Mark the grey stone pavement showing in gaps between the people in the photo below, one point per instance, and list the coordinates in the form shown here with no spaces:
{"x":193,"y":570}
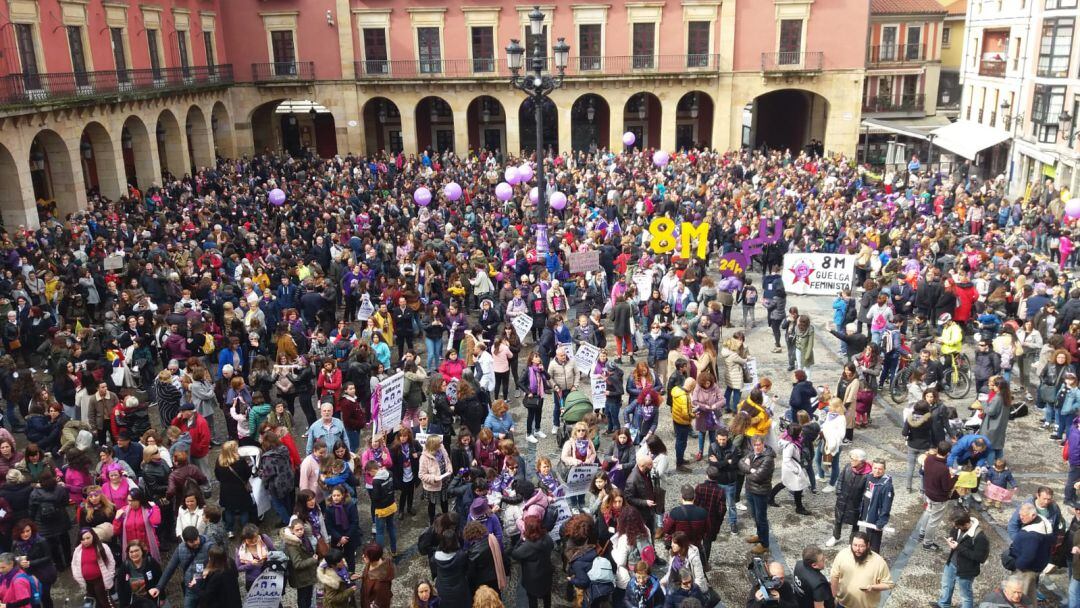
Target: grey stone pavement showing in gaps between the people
{"x":915,"y":570}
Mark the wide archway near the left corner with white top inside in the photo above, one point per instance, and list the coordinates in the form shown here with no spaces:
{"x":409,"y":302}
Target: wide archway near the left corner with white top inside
{"x":296,"y":127}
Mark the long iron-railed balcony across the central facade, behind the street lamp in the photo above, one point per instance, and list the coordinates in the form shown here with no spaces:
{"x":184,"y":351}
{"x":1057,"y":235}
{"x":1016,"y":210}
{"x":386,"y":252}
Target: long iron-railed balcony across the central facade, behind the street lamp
{"x":588,"y":66}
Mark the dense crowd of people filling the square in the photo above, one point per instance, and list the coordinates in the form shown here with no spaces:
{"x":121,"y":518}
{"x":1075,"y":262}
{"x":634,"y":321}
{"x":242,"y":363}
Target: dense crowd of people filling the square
{"x":178,"y":357}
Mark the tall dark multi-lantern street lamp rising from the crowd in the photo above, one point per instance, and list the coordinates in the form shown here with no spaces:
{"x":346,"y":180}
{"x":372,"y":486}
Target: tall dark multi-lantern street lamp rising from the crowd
{"x":538,"y":87}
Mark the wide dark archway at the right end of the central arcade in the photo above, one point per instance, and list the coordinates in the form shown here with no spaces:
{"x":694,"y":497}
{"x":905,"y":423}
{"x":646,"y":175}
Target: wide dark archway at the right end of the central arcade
{"x":789,"y":119}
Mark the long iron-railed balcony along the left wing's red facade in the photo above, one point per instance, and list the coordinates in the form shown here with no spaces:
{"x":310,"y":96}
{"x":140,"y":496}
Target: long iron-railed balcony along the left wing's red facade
{"x":22,"y":89}
